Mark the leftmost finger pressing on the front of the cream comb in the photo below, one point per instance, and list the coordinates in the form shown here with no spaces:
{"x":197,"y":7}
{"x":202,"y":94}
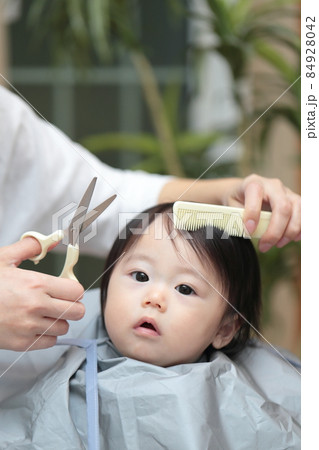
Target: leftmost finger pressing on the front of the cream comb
{"x":254,"y":194}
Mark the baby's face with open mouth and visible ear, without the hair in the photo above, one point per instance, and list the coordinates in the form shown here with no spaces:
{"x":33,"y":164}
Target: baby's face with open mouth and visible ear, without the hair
{"x":164,"y":307}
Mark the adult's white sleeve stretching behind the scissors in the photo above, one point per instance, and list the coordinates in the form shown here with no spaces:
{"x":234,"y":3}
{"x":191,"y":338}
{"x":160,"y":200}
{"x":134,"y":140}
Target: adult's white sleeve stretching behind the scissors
{"x":43,"y":175}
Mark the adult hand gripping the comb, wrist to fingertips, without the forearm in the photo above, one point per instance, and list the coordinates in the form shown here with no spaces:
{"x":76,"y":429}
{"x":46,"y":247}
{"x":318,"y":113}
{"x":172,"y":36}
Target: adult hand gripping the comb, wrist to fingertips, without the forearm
{"x":256,"y":193}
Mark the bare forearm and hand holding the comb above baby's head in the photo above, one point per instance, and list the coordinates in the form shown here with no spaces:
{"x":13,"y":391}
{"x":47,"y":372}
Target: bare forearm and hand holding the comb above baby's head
{"x":254,"y":193}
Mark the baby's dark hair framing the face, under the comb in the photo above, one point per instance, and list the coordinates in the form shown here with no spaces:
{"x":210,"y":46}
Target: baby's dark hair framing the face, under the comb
{"x":234,"y":259}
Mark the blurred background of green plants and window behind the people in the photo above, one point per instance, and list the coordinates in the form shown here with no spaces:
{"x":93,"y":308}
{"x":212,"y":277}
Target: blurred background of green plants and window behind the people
{"x":217,"y":80}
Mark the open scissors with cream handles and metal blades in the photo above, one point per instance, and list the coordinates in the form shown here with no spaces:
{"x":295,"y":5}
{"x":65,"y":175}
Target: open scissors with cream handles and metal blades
{"x":80,"y":221}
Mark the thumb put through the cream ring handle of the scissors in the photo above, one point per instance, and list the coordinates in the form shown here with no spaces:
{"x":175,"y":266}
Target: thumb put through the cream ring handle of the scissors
{"x":14,"y":254}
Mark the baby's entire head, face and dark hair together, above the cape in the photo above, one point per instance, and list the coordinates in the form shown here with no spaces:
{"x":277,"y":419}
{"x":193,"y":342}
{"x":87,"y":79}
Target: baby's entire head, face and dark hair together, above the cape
{"x":170,"y":296}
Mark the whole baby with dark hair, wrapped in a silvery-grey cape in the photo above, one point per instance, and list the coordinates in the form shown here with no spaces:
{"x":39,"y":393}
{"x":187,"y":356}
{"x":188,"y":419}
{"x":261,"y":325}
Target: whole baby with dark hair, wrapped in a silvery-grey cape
{"x":171,"y":300}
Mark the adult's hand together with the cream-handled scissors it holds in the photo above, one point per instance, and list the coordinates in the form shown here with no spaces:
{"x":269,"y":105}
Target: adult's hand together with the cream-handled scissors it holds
{"x":35,"y":307}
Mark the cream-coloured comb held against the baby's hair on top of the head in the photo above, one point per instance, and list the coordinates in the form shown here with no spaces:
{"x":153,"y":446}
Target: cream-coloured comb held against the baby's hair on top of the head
{"x":190,"y":216}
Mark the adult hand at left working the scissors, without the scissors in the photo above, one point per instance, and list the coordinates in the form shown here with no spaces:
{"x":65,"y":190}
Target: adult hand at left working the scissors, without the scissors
{"x":34,"y":307}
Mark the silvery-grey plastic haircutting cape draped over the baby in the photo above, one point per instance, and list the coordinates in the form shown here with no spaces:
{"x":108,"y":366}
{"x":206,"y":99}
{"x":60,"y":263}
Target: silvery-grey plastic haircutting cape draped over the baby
{"x":252,"y":402}
